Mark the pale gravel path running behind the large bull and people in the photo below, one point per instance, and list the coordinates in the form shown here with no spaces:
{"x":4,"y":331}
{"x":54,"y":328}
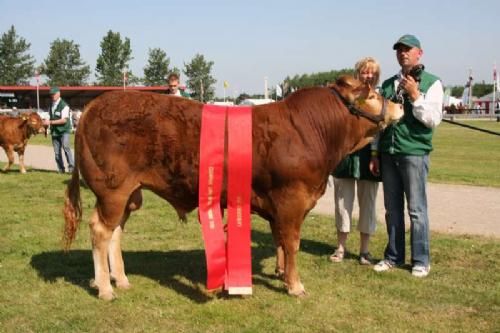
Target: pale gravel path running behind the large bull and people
{"x":456,"y":209}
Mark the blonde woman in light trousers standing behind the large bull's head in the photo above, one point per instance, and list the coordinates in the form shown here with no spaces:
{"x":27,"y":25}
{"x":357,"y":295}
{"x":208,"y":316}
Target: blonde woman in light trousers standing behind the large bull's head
{"x":355,"y":171}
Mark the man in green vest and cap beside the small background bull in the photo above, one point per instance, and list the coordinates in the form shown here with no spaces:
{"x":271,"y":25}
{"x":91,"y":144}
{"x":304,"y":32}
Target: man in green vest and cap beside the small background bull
{"x":60,"y":129}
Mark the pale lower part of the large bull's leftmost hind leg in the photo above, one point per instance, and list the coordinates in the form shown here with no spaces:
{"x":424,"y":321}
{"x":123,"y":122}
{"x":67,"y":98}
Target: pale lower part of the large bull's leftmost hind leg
{"x":101,"y":237}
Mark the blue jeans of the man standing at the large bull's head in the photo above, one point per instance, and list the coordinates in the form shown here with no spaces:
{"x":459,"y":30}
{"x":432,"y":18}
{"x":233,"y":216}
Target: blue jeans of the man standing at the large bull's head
{"x":406,"y":175}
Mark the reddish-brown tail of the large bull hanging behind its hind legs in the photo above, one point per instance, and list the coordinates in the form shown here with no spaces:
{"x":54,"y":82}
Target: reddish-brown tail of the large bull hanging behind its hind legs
{"x":72,"y":208}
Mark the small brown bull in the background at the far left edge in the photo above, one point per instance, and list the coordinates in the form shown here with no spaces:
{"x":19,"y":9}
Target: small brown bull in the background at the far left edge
{"x":15,"y":133}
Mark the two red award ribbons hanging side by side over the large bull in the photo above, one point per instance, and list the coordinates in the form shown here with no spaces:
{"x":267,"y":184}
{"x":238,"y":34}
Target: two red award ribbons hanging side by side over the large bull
{"x":234,"y":267}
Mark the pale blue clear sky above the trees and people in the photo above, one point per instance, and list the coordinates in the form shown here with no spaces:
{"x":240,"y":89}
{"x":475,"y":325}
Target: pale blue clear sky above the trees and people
{"x":250,"y":40}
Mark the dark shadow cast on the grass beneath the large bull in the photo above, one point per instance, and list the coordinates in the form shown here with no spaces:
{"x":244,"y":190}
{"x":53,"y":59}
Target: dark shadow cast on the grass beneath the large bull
{"x":169,"y":268}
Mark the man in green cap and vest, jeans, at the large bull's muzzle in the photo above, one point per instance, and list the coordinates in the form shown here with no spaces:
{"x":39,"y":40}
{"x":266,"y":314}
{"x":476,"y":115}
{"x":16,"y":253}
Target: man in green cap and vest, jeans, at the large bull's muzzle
{"x":404,"y":156}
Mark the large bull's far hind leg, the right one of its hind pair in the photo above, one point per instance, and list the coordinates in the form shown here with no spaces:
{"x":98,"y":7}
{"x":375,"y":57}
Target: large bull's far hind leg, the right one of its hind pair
{"x":116,"y":264}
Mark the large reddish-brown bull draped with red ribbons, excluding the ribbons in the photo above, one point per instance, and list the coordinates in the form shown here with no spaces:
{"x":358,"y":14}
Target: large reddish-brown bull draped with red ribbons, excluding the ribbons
{"x":127,"y":141}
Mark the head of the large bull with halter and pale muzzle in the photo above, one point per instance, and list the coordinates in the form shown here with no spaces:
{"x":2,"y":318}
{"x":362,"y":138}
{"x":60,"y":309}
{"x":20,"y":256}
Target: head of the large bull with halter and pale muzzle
{"x":363,"y":100}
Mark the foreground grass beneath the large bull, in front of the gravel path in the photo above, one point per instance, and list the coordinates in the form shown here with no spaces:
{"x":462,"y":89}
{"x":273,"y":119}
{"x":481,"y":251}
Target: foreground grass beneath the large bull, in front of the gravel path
{"x":46,"y":290}
